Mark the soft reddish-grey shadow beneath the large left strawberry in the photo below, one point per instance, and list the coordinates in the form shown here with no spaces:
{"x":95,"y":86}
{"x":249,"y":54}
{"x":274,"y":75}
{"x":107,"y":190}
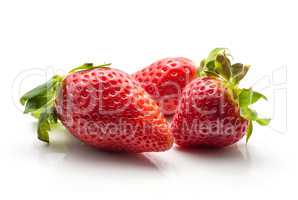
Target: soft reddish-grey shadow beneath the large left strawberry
{"x":77,"y":152}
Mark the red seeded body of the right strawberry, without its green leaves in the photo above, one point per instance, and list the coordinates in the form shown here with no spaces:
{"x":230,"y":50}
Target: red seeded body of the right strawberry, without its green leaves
{"x":207,"y":116}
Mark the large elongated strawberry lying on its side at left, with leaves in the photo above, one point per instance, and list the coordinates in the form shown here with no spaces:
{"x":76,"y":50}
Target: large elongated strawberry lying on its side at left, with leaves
{"x":102,"y":107}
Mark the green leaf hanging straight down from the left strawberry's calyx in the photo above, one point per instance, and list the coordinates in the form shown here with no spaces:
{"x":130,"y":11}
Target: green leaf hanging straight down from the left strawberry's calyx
{"x":46,"y":121}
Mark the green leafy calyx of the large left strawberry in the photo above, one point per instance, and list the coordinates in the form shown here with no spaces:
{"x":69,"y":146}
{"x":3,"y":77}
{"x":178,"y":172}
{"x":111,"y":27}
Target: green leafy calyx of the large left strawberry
{"x":40,"y":101}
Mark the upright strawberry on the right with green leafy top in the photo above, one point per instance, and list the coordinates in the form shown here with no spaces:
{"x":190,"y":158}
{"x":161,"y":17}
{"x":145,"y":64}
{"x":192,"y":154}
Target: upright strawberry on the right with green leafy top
{"x":213,"y":110}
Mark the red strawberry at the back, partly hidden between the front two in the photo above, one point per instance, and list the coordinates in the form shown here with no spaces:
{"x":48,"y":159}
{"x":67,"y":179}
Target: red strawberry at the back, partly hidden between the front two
{"x":165,"y":79}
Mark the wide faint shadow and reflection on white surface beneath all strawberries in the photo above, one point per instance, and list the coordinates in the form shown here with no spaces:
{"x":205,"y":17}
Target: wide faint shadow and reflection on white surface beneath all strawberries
{"x":69,"y":156}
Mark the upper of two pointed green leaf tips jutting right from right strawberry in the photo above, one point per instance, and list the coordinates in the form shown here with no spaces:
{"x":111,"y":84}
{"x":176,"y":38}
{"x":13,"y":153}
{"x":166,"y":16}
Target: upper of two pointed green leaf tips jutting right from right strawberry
{"x":248,"y":97}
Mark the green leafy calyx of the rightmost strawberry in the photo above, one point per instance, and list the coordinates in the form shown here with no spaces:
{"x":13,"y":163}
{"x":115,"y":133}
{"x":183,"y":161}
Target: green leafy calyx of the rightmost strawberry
{"x":218,"y":64}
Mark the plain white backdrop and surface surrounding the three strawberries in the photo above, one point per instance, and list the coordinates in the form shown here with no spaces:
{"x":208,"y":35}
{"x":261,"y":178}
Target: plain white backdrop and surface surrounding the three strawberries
{"x":60,"y":34}
